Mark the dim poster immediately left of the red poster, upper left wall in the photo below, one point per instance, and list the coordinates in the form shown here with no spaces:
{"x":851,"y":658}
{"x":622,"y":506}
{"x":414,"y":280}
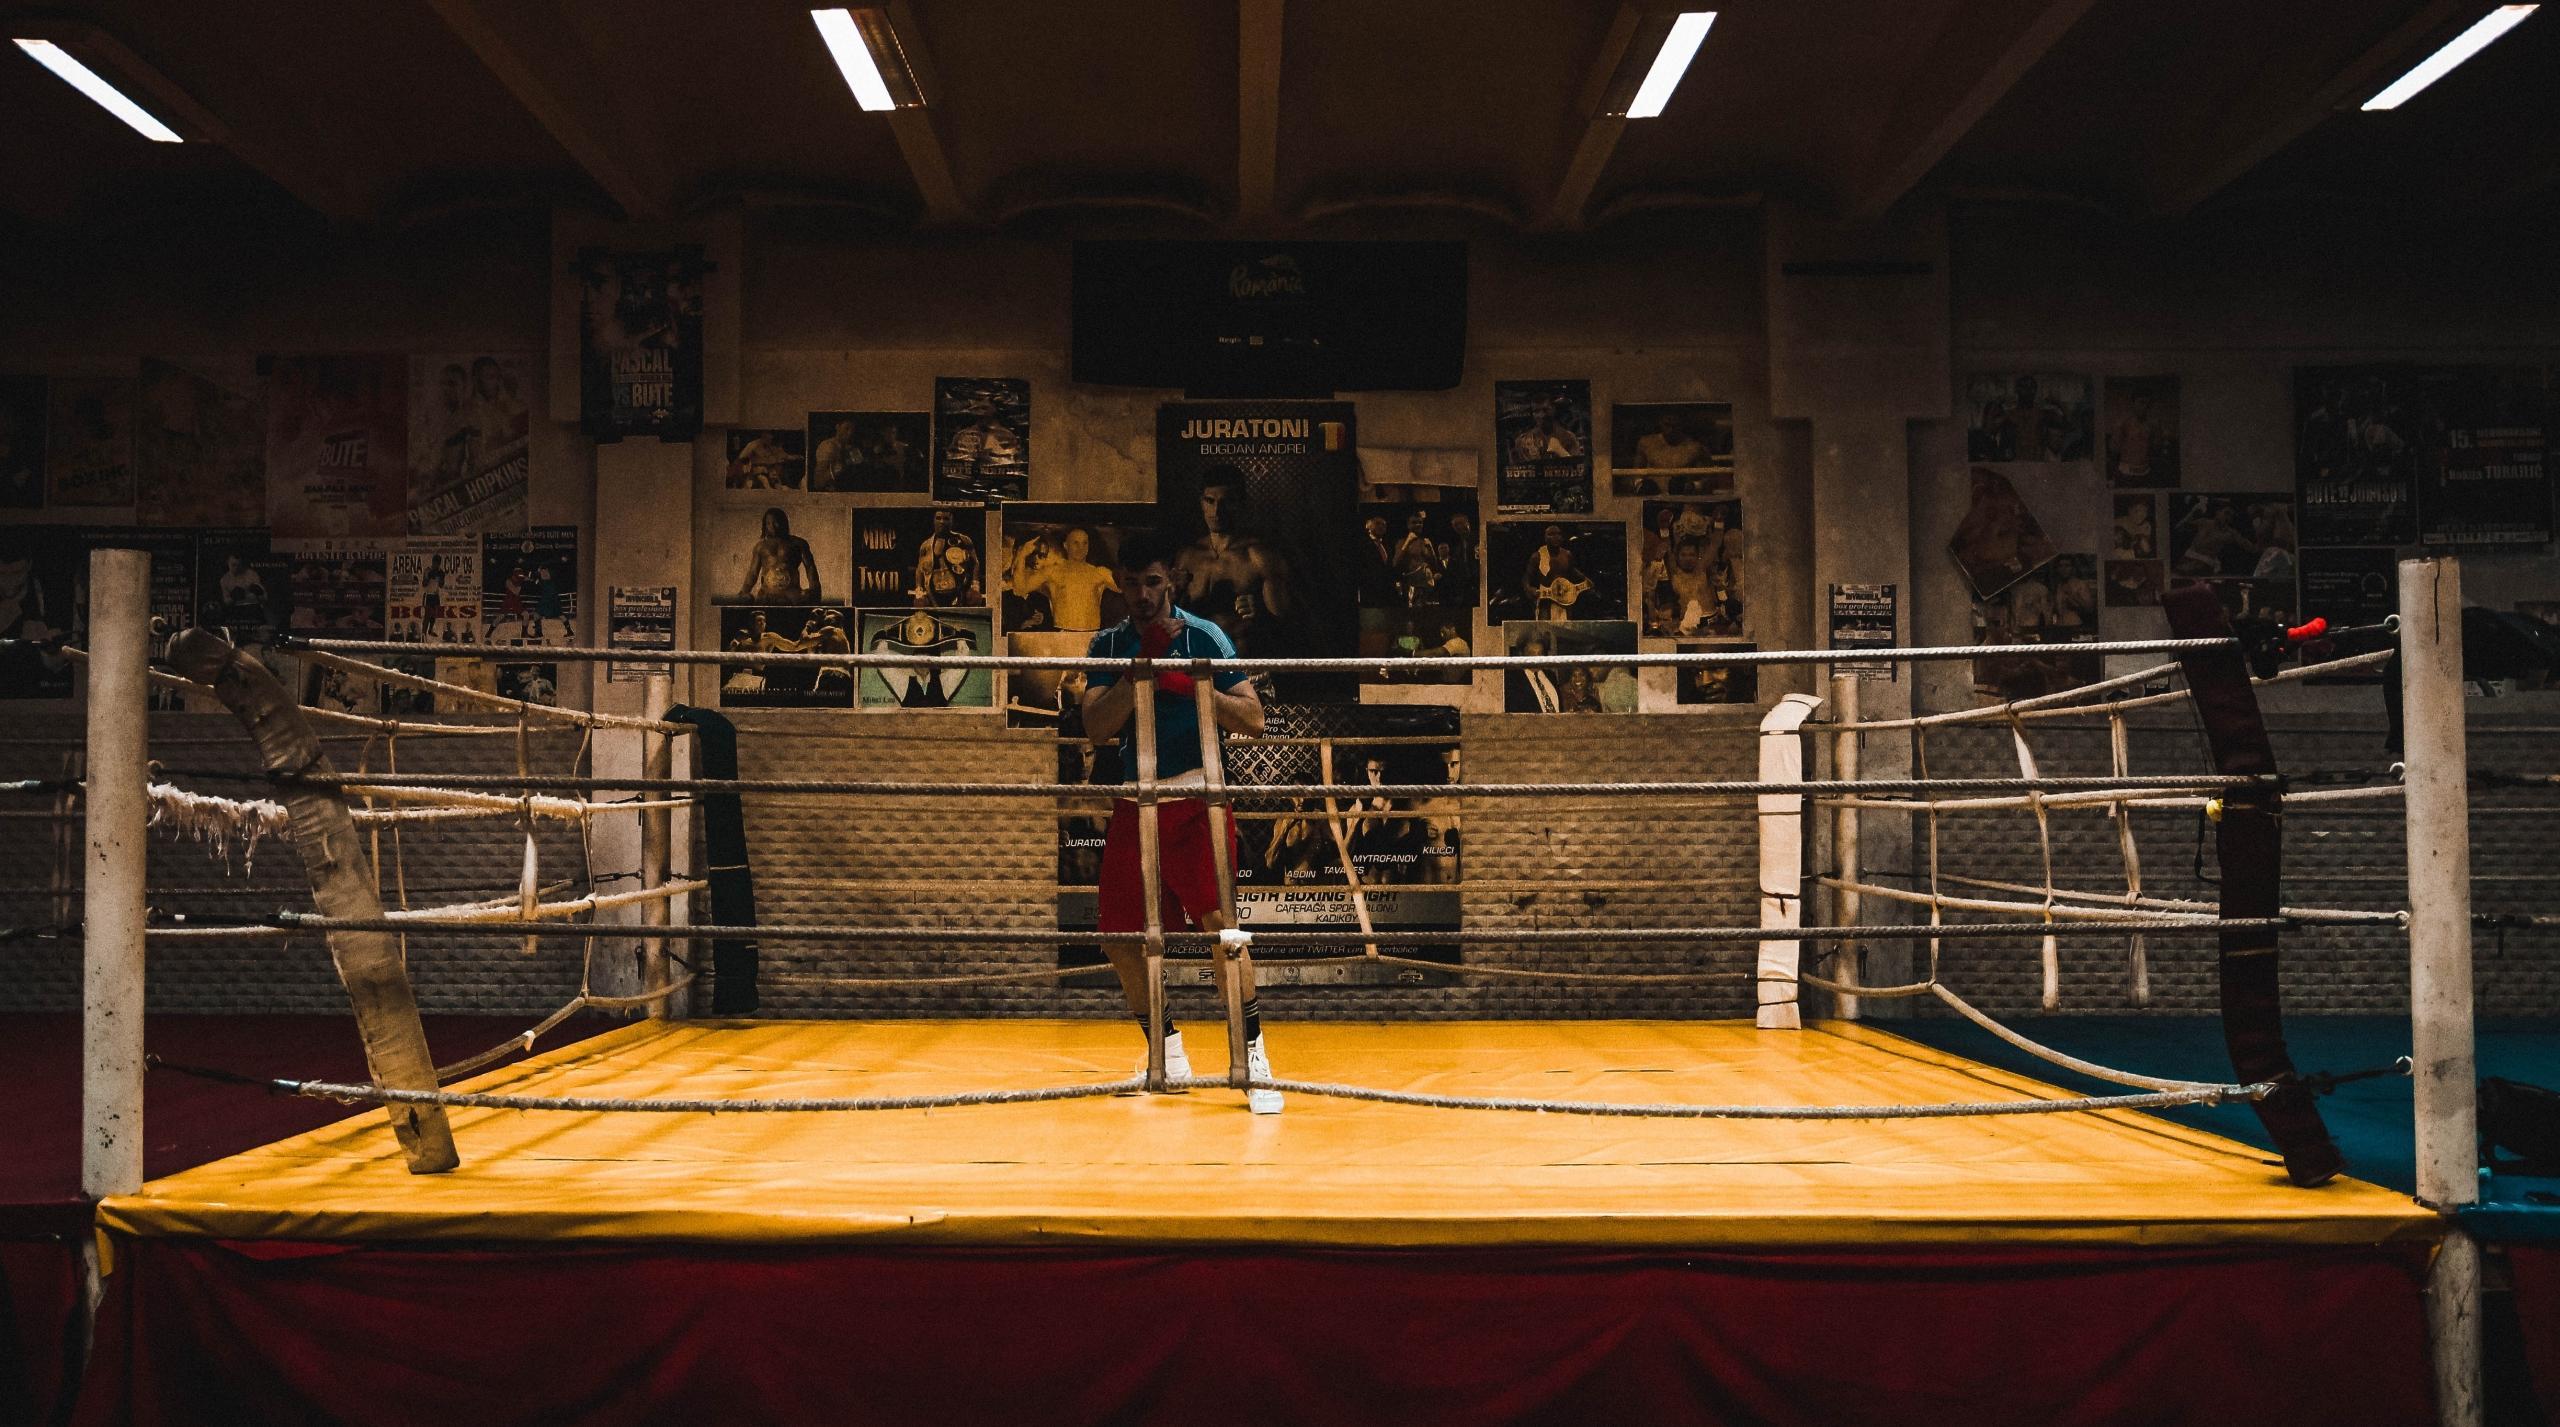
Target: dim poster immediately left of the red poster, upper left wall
{"x":198,"y":444}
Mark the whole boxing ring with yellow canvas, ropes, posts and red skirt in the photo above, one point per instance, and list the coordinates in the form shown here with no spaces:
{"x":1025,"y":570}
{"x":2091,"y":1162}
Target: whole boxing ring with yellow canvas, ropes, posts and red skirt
{"x":1763,"y":1221}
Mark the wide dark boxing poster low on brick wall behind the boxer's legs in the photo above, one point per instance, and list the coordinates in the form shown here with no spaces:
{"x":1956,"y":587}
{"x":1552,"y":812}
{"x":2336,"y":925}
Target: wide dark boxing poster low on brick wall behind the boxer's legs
{"x":1297,"y":857}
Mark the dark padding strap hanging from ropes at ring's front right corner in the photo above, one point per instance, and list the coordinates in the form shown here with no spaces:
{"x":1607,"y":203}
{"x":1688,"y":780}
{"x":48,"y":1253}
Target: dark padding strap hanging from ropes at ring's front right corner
{"x":2252,"y":857}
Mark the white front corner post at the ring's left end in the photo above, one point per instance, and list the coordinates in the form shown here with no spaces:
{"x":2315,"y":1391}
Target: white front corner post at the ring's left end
{"x":114,"y":893}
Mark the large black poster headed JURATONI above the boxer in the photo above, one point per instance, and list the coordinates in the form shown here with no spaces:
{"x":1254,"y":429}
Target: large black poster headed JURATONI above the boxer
{"x":1261,"y":501}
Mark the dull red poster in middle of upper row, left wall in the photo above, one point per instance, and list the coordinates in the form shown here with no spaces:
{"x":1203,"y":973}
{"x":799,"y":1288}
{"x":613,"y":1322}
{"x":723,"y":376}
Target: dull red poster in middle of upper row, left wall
{"x":337,"y":447}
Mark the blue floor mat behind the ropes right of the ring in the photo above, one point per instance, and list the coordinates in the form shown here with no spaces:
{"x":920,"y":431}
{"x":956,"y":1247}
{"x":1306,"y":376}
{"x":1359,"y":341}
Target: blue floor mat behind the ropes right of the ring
{"x":2372,"y":1121}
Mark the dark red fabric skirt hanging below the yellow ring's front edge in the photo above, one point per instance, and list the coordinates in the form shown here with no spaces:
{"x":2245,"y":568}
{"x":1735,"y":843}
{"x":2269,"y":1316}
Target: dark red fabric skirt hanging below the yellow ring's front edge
{"x":303,"y":1333}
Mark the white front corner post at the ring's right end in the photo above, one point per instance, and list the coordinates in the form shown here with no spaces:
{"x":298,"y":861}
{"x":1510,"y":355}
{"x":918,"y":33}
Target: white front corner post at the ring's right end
{"x":2436,"y":775}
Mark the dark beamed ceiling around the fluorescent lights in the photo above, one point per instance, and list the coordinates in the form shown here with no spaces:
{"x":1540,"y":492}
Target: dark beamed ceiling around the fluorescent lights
{"x":1207,"y":117}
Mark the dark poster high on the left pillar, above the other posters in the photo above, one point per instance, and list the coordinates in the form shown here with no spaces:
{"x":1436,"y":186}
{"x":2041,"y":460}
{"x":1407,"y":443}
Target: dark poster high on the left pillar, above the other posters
{"x":641,"y":342}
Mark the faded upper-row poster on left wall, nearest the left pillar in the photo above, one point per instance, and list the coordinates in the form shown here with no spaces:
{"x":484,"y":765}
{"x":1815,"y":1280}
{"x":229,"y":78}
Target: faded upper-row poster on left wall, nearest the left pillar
{"x":470,"y":442}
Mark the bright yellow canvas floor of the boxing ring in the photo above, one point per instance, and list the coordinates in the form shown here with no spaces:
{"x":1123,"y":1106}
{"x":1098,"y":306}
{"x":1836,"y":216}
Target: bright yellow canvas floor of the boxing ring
{"x":1197,"y":1170}
